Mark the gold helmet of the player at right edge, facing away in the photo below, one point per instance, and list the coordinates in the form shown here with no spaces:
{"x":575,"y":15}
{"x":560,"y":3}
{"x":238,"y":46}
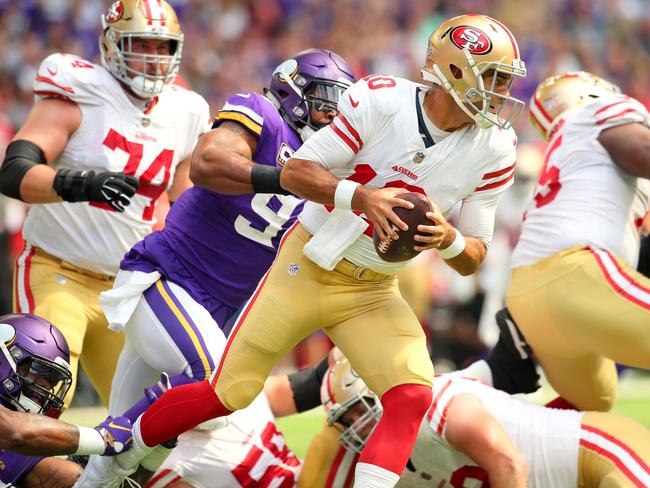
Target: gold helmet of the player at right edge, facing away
{"x":558,"y":94}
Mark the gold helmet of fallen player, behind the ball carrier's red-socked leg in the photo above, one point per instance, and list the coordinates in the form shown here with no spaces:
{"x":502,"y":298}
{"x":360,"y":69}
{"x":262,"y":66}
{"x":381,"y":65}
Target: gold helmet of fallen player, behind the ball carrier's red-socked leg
{"x":342,"y":388}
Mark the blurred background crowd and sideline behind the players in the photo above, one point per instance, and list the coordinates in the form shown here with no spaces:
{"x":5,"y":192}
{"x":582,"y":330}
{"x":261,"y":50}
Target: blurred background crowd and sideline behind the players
{"x":233,"y":45}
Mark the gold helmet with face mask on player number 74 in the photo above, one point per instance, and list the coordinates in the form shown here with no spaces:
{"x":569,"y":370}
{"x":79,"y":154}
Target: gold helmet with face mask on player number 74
{"x":125,"y":20}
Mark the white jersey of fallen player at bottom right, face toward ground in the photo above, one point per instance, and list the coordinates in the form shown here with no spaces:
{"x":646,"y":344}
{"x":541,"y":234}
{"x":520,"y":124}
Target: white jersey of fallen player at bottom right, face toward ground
{"x":548,"y":439}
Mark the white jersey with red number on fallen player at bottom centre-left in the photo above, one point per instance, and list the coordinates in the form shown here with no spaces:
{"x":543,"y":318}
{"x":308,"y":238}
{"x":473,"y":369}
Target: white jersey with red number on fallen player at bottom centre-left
{"x":248,"y":451}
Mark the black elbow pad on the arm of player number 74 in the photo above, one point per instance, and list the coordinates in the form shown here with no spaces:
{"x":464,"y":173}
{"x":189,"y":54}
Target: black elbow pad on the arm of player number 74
{"x":21,"y":156}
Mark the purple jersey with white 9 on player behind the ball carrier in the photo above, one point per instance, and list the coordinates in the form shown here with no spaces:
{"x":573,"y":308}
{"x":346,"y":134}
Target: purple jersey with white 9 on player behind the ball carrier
{"x":218,"y":246}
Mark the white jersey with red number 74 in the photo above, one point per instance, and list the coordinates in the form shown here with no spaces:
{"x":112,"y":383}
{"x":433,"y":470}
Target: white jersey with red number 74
{"x":114,"y":135}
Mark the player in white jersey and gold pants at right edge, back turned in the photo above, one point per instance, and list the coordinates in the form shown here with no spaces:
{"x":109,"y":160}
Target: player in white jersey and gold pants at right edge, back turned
{"x":575,"y":293}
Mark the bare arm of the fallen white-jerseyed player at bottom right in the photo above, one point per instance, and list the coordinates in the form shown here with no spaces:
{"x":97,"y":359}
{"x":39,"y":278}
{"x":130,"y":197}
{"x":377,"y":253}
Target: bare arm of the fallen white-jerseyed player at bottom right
{"x":472,"y":430}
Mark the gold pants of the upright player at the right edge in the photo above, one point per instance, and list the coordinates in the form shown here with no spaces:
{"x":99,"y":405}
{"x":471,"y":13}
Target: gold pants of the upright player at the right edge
{"x":582,"y":310}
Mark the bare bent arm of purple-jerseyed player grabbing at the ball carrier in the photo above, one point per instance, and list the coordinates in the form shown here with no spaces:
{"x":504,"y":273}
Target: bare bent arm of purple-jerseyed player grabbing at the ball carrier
{"x":222,"y":160}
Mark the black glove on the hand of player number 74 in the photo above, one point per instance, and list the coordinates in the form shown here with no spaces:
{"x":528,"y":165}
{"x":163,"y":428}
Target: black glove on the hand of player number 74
{"x":115,"y":189}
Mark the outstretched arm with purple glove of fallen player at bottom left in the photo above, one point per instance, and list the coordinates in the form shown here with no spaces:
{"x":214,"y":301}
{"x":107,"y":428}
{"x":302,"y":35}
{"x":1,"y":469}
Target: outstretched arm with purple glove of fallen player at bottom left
{"x":38,"y":435}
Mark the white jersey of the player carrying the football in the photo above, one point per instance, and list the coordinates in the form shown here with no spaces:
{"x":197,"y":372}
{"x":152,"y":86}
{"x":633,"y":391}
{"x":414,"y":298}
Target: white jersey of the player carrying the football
{"x":380,"y":139}
